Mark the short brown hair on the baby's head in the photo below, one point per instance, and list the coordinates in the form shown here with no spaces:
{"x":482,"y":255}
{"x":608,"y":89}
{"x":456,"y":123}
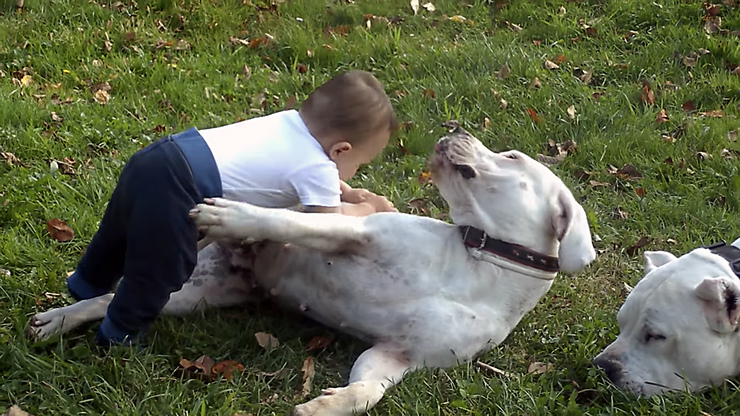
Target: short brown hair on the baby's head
{"x":352,"y":104}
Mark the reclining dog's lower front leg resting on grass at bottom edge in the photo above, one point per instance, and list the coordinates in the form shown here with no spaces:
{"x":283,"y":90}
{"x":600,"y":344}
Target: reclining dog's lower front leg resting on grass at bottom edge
{"x":374,"y":372}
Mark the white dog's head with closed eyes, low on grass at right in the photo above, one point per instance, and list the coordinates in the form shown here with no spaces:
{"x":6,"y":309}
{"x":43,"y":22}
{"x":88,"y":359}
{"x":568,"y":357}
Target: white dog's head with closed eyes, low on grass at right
{"x":678,"y":326}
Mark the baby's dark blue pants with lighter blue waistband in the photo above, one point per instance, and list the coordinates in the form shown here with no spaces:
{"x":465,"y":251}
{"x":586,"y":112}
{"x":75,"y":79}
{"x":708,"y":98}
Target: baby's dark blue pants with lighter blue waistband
{"x":146,"y":235}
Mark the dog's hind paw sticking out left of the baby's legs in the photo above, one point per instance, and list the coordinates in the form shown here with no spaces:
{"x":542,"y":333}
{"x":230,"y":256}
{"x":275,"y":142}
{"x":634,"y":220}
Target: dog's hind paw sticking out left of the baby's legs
{"x":43,"y":326}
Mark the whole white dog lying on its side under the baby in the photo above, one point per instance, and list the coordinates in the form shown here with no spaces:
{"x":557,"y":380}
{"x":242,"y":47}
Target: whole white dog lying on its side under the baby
{"x":423,"y":292}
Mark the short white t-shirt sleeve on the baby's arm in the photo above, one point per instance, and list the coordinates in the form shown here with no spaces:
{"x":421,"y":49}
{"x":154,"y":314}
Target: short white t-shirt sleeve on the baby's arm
{"x":317,"y":185}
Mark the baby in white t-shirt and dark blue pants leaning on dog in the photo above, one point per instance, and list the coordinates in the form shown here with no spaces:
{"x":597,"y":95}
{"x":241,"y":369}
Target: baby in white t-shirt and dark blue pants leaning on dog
{"x":276,"y":161}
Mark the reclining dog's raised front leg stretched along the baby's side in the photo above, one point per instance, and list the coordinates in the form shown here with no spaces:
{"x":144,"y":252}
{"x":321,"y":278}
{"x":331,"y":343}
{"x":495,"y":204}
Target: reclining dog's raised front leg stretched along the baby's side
{"x":222,"y":218}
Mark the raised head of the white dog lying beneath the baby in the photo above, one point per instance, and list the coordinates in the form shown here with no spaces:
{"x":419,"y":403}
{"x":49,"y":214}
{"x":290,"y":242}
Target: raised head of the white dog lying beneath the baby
{"x":511,"y":197}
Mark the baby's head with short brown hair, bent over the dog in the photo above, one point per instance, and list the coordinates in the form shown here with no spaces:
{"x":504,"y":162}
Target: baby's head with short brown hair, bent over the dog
{"x":352,"y":118}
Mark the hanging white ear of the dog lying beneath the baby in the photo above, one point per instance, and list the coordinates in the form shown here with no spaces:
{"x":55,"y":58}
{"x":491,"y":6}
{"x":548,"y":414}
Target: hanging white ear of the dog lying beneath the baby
{"x":570,"y":226}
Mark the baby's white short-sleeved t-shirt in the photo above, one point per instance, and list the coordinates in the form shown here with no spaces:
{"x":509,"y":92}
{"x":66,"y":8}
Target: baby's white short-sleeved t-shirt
{"x":273,"y":162}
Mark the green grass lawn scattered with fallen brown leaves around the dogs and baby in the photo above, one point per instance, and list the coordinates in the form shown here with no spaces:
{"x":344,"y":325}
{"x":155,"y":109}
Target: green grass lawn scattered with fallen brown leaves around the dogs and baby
{"x":171,"y":65}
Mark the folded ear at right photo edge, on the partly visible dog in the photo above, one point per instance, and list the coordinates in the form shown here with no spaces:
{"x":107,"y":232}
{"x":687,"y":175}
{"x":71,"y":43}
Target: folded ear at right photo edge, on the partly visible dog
{"x":720,"y":297}
